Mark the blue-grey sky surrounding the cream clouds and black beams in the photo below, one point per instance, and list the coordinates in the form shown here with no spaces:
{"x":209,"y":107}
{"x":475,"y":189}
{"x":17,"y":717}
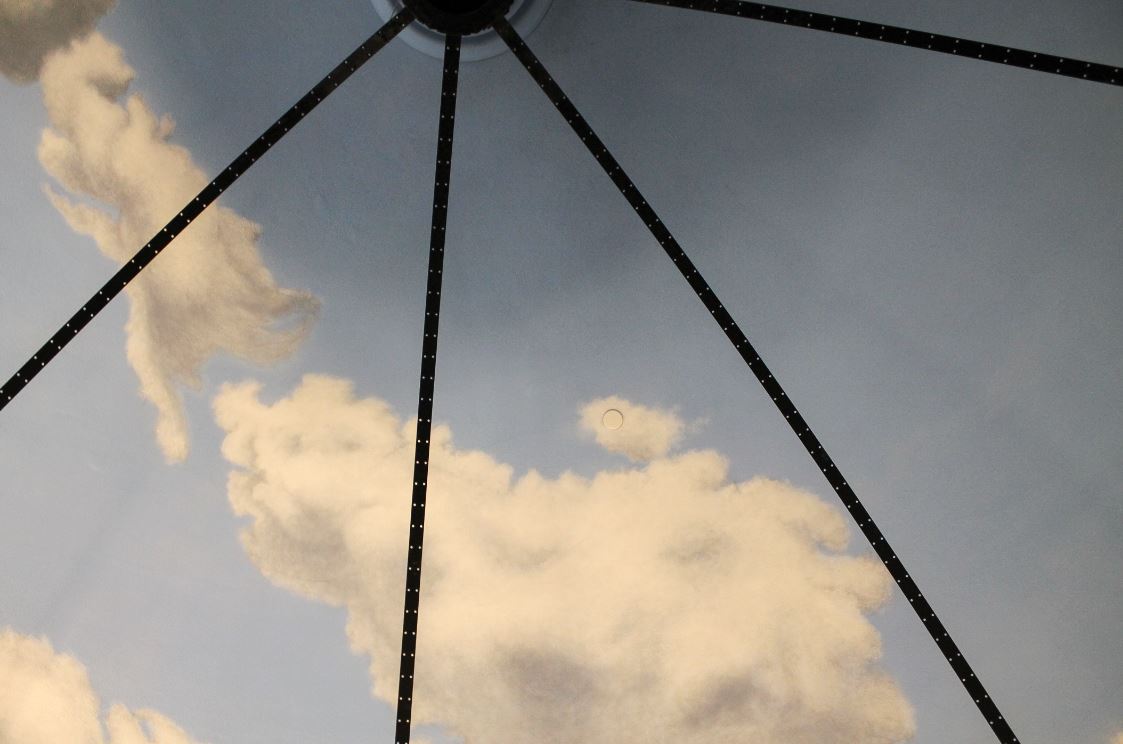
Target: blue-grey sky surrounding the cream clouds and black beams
{"x":926,"y":251}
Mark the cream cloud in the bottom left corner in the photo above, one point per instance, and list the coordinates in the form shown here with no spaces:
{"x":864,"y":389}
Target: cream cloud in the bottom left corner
{"x":47,"y":699}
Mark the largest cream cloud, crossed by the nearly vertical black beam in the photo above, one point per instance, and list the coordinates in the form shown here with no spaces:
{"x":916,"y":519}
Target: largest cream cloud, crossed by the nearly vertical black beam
{"x":656,"y":604}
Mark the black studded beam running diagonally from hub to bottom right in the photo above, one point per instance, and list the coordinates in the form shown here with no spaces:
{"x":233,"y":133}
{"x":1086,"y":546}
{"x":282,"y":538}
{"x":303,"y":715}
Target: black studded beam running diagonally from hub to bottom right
{"x":889,"y":557}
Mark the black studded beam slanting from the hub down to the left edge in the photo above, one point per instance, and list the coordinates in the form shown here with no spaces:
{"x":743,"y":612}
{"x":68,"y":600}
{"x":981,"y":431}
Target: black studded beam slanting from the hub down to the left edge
{"x":203,"y":200}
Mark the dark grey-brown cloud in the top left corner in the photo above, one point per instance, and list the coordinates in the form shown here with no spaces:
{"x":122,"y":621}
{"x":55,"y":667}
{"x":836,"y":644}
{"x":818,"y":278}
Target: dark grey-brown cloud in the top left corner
{"x":32,"y":30}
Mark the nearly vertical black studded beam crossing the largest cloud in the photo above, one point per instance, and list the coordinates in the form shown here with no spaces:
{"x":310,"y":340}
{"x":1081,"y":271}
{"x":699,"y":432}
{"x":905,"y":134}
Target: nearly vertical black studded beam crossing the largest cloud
{"x":428,"y":373}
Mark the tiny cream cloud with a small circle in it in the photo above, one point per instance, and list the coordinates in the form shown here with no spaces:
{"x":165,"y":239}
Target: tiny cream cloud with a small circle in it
{"x":631,"y":429}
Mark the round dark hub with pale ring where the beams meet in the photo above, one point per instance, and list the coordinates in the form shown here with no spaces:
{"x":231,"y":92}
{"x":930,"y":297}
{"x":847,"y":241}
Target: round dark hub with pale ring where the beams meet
{"x":427,"y":36}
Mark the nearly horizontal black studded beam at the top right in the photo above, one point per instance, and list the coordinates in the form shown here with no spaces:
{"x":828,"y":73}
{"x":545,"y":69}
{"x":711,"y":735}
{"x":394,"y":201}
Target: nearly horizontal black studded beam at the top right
{"x":997,"y":53}
